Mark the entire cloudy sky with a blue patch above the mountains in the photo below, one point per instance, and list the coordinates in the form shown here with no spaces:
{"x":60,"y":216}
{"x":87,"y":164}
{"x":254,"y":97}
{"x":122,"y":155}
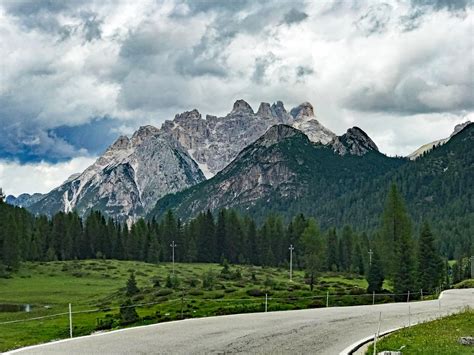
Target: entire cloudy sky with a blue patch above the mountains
{"x":76,"y":74}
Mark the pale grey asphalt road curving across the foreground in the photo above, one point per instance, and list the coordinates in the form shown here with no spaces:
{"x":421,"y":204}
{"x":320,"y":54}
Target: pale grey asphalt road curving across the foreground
{"x":313,"y":331}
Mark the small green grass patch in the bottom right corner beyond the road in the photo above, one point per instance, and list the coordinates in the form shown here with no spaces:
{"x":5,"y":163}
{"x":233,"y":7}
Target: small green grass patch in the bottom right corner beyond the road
{"x":435,"y":337}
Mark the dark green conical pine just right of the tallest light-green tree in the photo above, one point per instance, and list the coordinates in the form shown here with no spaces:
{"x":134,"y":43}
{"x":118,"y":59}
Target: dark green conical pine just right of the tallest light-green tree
{"x":430,"y":264}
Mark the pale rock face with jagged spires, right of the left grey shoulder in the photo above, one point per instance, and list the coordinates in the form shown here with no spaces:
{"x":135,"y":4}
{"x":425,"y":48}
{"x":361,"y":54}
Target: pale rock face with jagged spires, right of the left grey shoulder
{"x":214,"y":142}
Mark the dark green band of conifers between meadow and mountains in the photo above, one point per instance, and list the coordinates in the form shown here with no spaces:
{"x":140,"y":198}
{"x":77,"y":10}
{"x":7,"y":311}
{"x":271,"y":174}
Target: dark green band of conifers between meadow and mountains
{"x":394,"y":251}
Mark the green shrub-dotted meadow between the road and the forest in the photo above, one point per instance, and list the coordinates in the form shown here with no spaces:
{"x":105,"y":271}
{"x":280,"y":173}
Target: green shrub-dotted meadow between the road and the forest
{"x":100,"y":285}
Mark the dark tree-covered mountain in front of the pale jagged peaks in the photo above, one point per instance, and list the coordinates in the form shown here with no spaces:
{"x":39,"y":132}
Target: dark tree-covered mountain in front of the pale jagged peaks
{"x":284,"y":168}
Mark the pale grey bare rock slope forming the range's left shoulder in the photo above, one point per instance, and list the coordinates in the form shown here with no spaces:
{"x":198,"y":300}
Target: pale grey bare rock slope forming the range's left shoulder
{"x":128,"y":179}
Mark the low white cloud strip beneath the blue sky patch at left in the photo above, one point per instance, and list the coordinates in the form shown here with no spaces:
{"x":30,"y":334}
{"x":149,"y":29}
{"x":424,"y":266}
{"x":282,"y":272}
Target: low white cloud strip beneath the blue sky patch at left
{"x":16,"y":178}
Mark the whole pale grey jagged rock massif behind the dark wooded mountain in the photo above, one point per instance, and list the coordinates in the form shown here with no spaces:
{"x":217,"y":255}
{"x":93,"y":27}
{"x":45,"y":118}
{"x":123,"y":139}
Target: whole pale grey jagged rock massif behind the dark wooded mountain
{"x":134,"y":173}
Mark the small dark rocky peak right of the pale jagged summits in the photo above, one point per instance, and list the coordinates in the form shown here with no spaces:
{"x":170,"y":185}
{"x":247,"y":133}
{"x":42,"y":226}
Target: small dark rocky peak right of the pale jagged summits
{"x":355,"y":141}
